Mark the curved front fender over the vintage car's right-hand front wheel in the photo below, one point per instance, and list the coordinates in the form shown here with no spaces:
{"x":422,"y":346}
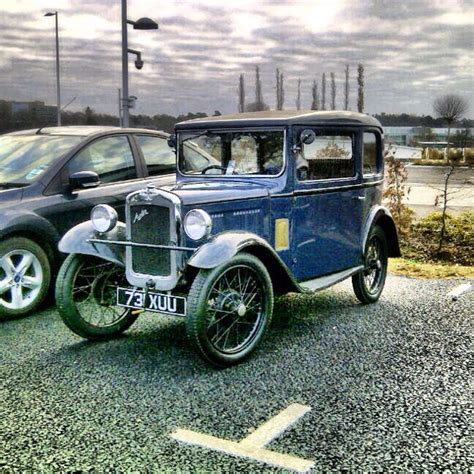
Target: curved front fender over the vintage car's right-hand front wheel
{"x":221,"y":248}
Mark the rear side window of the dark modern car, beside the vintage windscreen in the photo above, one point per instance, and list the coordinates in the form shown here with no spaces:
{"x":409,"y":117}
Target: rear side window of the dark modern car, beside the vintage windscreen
{"x":159,"y":157}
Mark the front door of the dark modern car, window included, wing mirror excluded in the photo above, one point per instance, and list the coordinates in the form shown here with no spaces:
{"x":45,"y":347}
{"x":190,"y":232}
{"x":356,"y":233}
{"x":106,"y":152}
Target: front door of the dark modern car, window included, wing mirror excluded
{"x":112,"y":158}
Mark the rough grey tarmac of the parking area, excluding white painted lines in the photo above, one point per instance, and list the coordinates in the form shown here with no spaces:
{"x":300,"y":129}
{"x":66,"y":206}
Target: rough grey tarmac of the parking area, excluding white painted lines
{"x":388,"y":385}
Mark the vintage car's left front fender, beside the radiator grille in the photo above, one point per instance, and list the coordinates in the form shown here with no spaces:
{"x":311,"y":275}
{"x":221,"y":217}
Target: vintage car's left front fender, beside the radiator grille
{"x":76,"y":241}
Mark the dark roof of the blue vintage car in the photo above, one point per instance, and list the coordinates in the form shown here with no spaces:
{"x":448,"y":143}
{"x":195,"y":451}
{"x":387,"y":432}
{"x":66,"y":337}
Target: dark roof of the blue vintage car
{"x":282,"y":117}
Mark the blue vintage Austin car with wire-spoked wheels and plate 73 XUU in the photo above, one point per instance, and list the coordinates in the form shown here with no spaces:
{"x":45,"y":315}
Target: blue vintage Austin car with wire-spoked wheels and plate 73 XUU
{"x":282,"y":202}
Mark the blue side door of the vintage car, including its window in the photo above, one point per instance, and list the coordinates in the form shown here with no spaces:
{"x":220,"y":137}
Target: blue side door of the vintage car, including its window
{"x":328,"y":203}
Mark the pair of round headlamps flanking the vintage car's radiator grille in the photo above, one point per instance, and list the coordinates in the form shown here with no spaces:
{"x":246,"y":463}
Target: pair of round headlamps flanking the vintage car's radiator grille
{"x":197,"y":223}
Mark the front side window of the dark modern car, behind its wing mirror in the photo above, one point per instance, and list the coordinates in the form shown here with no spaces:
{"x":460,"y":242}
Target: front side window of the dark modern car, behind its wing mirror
{"x":111,"y":158}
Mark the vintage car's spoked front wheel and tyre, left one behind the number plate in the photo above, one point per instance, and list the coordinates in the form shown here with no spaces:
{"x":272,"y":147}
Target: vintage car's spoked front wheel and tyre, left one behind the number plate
{"x":85,"y":288}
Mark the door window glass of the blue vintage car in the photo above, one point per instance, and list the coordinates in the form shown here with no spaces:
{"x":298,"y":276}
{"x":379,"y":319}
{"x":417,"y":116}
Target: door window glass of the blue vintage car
{"x":328,"y":157}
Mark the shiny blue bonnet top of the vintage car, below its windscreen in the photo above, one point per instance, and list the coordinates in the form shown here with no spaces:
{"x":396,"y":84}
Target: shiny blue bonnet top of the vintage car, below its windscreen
{"x":192,"y":193}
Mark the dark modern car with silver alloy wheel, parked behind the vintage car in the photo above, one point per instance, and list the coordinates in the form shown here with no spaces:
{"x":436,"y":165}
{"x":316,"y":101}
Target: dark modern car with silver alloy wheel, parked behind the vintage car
{"x":50,"y":178}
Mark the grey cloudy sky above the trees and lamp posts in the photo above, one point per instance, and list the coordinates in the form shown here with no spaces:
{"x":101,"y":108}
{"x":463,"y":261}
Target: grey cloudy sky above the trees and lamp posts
{"x":412,"y":50}
